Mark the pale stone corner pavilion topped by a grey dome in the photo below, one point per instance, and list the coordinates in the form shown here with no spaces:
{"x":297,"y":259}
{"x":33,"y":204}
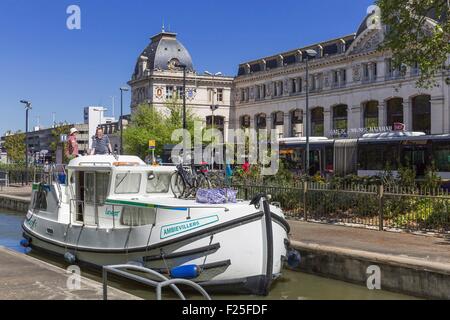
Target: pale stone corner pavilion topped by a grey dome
{"x":157,"y":80}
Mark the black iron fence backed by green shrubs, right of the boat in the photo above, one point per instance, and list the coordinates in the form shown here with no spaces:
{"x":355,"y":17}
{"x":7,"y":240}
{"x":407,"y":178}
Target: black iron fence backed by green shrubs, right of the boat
{"x":385,"y":208}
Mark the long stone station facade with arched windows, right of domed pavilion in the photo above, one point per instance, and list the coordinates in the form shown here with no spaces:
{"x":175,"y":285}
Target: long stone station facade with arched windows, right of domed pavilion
{"x":352,"y":87}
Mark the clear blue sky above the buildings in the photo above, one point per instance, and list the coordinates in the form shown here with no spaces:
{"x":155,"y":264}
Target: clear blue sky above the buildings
{"x":63,"y":70}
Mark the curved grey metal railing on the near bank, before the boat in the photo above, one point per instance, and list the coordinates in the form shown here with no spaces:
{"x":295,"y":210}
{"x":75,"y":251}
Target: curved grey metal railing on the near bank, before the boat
{"x":123,"y":270}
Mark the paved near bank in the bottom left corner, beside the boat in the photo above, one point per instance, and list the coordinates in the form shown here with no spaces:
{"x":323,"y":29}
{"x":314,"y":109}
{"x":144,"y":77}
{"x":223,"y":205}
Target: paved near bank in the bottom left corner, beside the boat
{"x":26,"y":278}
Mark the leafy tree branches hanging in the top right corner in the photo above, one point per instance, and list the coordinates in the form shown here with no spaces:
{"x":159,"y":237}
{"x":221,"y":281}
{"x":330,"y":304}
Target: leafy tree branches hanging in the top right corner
{"x":411,"y":41}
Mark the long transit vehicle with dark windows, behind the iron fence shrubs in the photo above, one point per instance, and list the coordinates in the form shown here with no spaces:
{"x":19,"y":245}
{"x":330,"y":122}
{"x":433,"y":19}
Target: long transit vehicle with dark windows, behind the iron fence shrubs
{"x":370,"y":155}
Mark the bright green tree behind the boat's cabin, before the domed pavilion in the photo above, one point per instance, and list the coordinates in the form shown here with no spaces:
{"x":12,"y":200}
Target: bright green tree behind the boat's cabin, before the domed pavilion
{"x":149,"y":123}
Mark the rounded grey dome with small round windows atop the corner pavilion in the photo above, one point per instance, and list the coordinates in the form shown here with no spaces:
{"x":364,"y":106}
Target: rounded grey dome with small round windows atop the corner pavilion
{"x":163,"y":53}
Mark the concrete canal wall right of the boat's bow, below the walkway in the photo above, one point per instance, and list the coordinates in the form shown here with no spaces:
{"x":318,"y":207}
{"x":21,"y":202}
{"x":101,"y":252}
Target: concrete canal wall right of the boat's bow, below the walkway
{"x":416,"y":277}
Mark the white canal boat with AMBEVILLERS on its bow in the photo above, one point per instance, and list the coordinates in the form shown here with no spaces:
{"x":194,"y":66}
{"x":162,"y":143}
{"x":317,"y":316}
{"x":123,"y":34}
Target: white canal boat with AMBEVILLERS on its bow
{"x":108,"y":210}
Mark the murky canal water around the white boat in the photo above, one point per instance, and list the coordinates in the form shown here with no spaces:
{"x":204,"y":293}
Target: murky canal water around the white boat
{"x":291,"y":286}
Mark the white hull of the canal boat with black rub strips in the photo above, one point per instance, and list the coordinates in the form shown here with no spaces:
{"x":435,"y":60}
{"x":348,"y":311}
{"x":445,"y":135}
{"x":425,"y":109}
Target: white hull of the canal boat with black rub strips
{"x":237,"y":254}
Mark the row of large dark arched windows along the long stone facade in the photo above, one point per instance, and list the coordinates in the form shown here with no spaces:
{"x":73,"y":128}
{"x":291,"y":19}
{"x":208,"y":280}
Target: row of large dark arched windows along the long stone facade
{"x":421,"y":116}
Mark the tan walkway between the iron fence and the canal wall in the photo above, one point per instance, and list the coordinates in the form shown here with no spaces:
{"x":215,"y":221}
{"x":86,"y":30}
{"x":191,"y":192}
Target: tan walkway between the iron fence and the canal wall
{"x":417,"y":249}
